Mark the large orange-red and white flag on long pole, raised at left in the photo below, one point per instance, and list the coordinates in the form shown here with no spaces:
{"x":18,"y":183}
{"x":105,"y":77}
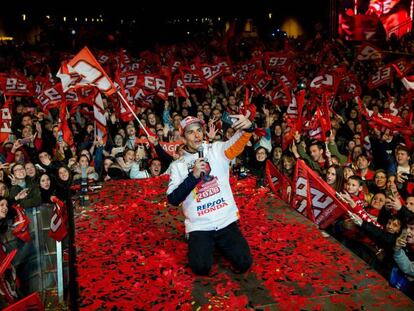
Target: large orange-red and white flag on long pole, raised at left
{"x":85,"y":64}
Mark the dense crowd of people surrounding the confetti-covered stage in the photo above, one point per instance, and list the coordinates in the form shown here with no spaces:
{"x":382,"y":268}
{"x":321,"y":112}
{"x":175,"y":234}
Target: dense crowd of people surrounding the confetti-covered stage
{"x":371,"y":166}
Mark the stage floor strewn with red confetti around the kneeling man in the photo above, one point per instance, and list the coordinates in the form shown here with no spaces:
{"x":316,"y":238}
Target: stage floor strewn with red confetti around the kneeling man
{"x":132,"y":255}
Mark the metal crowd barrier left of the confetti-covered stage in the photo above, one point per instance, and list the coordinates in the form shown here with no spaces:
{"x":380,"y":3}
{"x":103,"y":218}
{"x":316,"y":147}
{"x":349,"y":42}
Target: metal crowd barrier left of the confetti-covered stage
{"x":40,"y":264}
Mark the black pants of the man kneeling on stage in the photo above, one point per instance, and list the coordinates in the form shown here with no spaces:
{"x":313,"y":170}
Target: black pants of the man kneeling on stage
{"x":228,"y":240}
